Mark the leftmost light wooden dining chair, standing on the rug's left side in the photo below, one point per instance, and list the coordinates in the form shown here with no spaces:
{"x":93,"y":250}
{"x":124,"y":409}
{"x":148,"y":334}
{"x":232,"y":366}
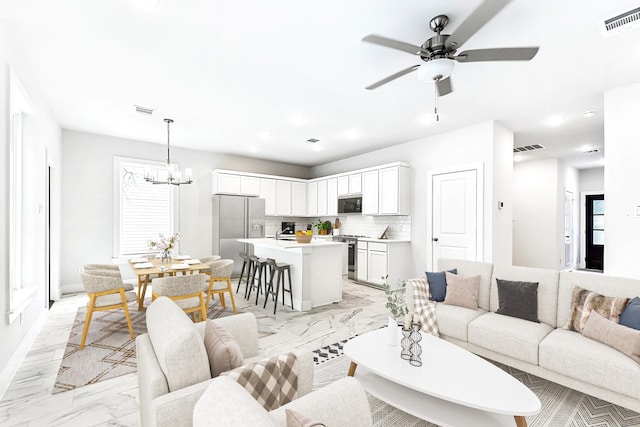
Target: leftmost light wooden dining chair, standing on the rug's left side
{"x":106,"y":291}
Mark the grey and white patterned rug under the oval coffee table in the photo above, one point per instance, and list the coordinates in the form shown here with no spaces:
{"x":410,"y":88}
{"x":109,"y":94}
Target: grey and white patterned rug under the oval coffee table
{"x":561,"y":406}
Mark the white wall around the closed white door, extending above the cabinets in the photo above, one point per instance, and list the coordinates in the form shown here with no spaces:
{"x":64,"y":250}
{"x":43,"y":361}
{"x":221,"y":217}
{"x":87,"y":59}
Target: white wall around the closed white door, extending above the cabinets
{"x":474,"y":144}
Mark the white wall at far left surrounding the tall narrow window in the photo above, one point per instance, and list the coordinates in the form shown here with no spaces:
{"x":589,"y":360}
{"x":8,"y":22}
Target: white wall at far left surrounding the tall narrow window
{"x":41,"y":139}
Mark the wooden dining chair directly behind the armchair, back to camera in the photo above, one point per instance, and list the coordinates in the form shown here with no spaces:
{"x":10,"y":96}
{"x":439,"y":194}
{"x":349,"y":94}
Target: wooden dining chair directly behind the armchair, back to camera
{"x":186,"y":291}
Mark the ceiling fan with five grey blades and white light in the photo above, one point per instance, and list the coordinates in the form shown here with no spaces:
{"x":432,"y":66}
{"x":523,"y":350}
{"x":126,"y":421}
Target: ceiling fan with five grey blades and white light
{"x":440,"y":51}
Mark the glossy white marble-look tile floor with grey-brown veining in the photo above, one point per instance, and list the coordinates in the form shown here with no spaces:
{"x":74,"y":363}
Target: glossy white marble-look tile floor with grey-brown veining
{"x":28,"y":400}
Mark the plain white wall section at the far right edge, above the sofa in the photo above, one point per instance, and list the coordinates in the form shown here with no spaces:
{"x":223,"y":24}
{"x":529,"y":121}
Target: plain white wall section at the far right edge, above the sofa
{"x":621,"y":178}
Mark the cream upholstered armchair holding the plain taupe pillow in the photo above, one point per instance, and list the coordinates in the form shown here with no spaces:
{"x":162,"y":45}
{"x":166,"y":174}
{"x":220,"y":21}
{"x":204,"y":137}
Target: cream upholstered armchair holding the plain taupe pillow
{"x":173,"y":366}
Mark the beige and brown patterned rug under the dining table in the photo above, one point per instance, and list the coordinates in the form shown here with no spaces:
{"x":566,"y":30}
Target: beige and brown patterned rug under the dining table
{"x":109,"y":350}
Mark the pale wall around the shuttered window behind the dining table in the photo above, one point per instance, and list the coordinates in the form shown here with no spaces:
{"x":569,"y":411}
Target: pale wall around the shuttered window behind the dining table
{"x":87,"y":195}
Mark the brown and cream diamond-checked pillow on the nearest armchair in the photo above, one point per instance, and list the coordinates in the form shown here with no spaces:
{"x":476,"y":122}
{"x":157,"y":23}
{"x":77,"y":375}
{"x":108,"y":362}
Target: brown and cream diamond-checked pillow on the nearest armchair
{"x":273,"y":382}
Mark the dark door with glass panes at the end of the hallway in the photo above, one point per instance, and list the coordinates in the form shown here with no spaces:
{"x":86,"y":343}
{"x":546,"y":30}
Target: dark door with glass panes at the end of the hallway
{"x":594,"y":227}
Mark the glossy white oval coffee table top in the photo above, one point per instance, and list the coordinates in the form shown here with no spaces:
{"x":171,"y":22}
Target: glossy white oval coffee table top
{"x":448,"y":372}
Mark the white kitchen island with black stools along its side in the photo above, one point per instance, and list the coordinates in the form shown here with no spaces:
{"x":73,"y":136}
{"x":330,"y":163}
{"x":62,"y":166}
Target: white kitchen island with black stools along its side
{"x":316,"y":269}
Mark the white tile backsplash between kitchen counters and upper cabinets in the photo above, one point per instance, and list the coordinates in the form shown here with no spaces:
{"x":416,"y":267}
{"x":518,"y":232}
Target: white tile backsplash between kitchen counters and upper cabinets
{"x":362,"y":225}
